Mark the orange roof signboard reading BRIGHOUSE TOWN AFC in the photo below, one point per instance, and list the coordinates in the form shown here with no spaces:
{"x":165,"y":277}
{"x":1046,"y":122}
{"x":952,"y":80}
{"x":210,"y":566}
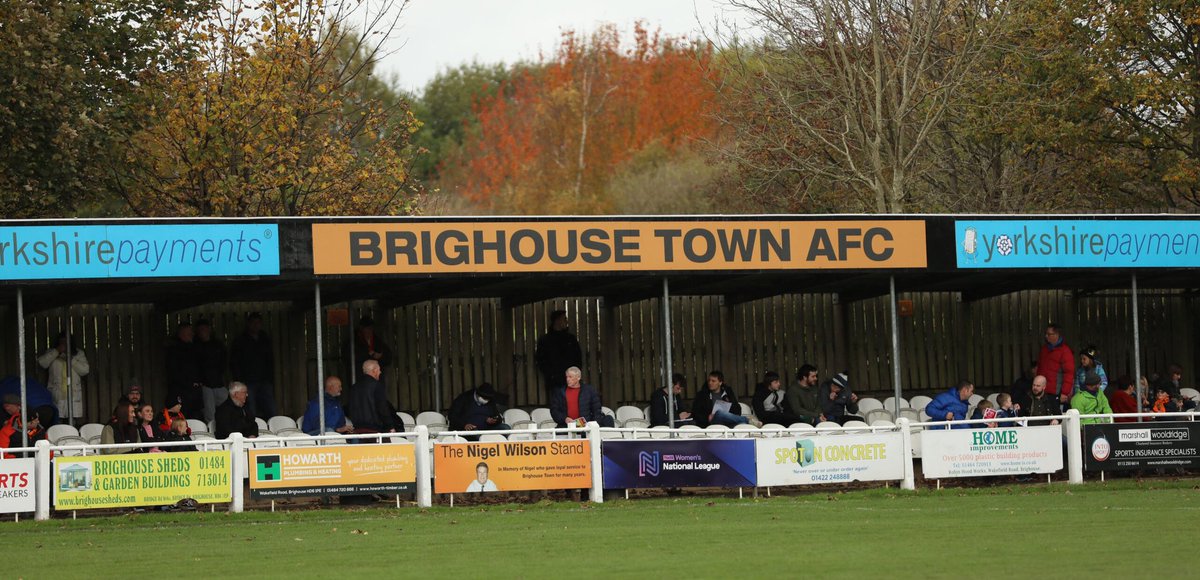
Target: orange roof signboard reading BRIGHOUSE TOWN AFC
{"x":529,"y":247}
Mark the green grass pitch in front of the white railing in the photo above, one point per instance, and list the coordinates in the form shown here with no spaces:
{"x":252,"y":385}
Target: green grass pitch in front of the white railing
{"x":1136,"y":529}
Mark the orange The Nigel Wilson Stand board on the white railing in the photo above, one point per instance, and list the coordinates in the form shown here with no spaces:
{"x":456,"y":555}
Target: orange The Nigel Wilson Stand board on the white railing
{"x":512,"y":467}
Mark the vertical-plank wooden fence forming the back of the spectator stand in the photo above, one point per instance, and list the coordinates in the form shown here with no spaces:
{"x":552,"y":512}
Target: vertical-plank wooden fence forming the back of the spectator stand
{"x":478,"y":340}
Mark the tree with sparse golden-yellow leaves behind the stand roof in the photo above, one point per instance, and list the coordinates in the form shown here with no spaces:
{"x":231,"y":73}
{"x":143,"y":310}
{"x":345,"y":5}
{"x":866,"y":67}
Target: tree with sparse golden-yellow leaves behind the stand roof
{"x":277,"y":112}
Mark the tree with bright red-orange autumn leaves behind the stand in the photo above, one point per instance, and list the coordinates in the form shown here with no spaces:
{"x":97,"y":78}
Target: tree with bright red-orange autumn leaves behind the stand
{"x":556,"y":137}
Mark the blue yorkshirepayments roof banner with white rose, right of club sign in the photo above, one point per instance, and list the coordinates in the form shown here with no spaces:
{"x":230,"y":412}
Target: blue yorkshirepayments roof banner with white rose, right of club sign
{"x":1077,"y":244}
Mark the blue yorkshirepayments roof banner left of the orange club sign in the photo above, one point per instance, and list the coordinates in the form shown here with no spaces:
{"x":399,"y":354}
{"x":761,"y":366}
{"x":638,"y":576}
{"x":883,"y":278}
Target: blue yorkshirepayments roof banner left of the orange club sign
{"x":63,"y":253}
